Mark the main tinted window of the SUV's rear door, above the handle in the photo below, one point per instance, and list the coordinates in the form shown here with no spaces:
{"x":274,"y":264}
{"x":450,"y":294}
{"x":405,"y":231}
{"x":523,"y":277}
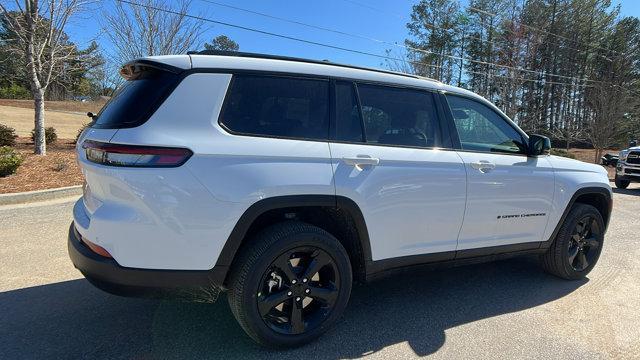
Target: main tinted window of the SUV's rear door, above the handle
{"x":394,"y":116}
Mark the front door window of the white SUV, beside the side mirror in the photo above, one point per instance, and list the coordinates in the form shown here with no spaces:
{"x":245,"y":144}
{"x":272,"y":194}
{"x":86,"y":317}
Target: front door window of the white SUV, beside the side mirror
{"x":482,"y":129}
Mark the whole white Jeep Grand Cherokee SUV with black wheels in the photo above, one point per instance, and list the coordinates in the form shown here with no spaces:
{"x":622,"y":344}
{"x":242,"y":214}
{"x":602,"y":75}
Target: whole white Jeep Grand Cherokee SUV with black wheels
{"x":284,"y":180}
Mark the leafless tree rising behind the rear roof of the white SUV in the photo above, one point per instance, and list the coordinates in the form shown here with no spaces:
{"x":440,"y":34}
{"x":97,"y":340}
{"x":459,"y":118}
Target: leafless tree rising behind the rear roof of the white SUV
{"x":146,"y":29}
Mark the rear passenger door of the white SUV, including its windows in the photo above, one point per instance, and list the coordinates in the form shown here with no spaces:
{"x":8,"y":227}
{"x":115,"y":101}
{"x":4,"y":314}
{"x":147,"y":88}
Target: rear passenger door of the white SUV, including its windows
{"x":387,"y":157}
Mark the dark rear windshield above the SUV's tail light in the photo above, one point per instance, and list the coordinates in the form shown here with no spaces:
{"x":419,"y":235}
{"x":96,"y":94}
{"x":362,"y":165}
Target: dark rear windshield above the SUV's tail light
{"x":135,"y":101}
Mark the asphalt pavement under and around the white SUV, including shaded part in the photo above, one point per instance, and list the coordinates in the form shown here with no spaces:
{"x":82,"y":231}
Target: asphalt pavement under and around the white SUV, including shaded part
{"x":507,"y":309}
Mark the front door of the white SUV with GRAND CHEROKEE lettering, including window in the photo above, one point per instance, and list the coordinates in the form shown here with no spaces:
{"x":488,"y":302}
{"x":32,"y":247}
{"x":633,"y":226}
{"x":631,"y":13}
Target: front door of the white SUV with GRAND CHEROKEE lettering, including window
{"x":509,"y":194}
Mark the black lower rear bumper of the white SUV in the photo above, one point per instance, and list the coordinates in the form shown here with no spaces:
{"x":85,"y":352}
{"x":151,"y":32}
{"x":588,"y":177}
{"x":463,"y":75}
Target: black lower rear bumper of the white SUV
{"x":106,"y":274}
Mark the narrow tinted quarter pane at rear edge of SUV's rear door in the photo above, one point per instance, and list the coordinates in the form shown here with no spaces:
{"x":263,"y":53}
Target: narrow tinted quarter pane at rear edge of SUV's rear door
{"x":348,"y":120}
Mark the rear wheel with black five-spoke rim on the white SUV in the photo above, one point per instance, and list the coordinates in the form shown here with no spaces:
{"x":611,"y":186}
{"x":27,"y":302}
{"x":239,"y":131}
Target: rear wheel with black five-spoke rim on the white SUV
{"x":291,"y":283}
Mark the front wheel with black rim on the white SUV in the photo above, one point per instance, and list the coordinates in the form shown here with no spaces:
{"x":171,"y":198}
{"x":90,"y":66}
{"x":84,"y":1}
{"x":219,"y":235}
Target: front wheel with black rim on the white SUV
{"x":578,"y":244}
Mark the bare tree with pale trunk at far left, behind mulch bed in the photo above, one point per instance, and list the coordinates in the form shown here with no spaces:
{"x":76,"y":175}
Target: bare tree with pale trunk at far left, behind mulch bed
{"x":39,"y":39}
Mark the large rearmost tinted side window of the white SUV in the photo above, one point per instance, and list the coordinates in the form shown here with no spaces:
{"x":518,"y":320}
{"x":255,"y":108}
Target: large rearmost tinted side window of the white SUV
{"x":277,"y":106}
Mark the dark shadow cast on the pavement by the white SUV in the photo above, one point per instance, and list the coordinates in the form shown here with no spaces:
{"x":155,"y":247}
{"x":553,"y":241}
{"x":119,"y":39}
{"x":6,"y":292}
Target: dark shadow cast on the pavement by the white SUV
{"x":74,"y":320}
